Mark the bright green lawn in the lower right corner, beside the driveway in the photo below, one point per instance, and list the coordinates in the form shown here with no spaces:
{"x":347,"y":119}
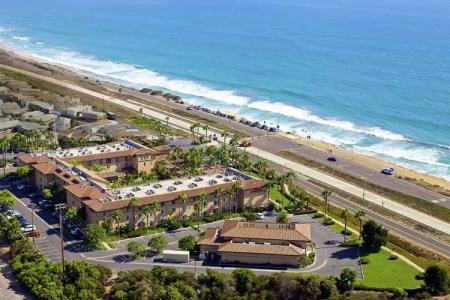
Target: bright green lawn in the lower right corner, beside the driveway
{"x":383,"y":272}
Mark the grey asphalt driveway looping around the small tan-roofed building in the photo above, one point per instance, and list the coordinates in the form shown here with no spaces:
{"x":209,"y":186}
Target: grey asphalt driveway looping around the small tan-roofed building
{"x":330,"y":258}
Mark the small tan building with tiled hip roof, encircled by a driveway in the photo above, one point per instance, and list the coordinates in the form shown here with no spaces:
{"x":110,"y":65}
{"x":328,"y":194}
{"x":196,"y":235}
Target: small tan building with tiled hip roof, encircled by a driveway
{"x":257,"y":243}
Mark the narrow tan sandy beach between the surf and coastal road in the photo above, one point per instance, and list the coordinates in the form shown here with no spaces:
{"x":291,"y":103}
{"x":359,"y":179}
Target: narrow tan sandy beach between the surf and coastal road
{"x":29,"y":63}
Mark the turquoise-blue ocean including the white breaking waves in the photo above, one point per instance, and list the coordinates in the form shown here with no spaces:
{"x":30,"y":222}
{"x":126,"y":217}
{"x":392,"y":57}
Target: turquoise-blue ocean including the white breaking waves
{"x":370,"y":76}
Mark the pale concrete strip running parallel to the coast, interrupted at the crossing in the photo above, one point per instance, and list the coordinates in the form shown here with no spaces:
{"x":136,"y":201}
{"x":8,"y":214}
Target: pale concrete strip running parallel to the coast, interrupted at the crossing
{"x":183,"y":123}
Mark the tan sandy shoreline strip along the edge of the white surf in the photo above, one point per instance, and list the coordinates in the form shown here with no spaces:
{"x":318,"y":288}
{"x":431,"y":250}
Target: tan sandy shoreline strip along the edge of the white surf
{"x":28,"y":61}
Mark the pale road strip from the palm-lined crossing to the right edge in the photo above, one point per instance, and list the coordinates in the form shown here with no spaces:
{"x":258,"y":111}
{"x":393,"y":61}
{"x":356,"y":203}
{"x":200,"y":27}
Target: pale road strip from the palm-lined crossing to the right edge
{"x":354,"y":190}
